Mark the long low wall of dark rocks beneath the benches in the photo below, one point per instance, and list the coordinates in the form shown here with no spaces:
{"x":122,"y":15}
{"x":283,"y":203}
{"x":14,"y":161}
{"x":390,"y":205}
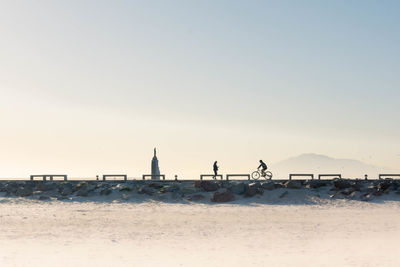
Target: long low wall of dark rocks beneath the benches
{"x":189,"y":191}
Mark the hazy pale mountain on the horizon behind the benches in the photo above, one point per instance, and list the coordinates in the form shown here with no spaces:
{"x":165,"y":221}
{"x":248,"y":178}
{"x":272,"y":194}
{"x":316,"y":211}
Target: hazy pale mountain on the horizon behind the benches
{"x":318,"y":164}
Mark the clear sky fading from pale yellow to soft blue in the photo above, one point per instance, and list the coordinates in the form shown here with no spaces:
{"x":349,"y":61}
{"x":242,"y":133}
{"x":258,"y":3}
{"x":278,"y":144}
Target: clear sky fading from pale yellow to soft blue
{"x":90,"y":87}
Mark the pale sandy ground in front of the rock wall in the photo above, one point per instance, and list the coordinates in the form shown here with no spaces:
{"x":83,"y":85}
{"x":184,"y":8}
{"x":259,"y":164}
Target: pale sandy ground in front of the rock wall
{"x":336,"y":233}
